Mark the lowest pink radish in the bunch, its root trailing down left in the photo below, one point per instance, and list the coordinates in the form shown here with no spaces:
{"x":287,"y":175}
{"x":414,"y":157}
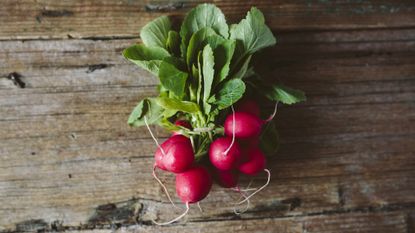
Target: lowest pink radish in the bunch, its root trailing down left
{"x":193,"y":184}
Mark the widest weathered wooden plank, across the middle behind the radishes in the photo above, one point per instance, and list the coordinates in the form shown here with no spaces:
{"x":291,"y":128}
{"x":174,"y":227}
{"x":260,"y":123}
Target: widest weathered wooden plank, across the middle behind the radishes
{"x":67,"y":154}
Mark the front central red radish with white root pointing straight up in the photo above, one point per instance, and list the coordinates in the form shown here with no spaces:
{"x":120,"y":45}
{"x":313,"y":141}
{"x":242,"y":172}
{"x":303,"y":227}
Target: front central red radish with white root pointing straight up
{"x":224,"y":154}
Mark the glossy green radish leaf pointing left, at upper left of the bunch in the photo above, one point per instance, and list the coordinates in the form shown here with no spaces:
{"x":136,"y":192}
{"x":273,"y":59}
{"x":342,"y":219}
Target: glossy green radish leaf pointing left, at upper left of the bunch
{"x":148,"y":58}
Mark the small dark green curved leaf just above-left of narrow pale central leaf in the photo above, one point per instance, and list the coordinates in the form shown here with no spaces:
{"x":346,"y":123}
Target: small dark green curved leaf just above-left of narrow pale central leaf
{"x":196,"y":43}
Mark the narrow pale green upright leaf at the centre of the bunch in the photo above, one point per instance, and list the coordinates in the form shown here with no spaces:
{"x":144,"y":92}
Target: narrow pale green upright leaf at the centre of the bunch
{"x":208,"y":75}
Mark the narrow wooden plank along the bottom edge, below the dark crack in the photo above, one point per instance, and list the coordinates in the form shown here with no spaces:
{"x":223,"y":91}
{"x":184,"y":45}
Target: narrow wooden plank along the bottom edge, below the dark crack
{"x":338,"y":223}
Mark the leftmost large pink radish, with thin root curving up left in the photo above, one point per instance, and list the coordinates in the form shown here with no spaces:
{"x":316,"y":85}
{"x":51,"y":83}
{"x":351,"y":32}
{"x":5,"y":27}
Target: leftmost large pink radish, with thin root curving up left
{"x":178,"y":154}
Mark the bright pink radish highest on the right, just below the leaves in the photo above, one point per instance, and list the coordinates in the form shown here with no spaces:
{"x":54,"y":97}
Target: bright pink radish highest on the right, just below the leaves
{"x":246,"y":125}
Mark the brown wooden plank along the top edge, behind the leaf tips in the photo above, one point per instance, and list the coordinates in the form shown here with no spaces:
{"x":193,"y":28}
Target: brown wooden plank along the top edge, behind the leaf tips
{"x":28,"y":19}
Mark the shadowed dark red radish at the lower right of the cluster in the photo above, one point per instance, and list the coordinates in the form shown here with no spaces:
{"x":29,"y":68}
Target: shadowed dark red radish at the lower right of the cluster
{"x":256,"y":162}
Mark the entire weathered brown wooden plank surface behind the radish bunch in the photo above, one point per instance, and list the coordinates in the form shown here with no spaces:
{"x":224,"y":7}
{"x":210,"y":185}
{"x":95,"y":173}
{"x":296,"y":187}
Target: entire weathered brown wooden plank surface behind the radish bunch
{"x":68,"y":160}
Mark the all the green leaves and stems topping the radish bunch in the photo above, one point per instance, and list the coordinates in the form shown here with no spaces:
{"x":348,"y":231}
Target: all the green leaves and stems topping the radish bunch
{"x":203,"y":69}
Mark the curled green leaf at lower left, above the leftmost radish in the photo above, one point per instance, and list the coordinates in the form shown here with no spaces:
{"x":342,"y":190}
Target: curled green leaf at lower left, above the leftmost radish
{"x":148,"y":109}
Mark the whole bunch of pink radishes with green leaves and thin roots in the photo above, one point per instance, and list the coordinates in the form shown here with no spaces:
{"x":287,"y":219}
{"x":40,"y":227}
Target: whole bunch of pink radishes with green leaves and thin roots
{"x":204,"y":71}
